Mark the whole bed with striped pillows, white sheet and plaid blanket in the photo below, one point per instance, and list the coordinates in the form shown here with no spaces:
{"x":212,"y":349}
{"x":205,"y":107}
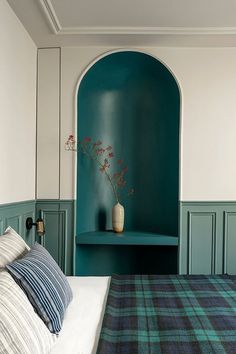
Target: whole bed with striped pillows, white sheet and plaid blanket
{"x":42,"y":311}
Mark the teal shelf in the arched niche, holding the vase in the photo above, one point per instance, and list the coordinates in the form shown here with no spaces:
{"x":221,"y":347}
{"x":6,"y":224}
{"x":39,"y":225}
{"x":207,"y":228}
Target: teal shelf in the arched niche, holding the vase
{"x":125,"y":238}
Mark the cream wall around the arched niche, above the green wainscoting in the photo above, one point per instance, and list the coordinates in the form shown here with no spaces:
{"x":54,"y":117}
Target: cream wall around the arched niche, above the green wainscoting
{"x":207,"y":78}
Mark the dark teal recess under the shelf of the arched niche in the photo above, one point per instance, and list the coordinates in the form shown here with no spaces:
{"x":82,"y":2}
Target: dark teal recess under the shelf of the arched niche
{"x":103,"y":260}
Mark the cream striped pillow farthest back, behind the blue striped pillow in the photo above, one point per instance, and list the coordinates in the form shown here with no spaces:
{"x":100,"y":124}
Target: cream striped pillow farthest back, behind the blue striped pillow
{"x":12,"y":246}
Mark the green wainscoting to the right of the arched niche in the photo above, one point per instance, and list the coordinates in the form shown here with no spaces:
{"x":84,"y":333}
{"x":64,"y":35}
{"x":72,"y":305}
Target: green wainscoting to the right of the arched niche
{"x":207,"y":243}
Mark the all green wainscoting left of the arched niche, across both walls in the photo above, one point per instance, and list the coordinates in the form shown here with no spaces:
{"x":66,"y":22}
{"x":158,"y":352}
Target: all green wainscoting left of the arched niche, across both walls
{"x":58,"y":215}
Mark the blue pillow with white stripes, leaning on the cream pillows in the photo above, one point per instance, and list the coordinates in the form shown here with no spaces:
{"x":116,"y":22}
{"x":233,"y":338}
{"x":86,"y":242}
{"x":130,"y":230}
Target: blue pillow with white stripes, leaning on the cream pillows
{"x":45,"y":285}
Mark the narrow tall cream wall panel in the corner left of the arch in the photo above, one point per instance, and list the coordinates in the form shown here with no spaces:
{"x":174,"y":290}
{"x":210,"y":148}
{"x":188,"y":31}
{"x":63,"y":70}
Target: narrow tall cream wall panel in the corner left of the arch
{"x":48,"y":124}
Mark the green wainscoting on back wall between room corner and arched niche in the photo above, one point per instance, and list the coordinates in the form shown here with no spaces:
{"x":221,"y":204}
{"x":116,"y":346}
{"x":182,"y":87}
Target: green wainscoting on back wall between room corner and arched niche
{"x":59,"y":239}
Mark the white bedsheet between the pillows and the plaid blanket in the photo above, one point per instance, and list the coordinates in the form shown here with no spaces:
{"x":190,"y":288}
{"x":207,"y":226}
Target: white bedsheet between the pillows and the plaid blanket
{"x":83,"y":319}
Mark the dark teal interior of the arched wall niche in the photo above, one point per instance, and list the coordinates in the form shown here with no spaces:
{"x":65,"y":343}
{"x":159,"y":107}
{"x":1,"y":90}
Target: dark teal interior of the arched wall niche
{"x":131,"y":101}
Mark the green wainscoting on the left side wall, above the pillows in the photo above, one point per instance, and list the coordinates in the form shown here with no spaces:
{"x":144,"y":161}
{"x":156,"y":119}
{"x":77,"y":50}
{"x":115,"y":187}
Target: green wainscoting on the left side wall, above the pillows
{"x":15,"y":215}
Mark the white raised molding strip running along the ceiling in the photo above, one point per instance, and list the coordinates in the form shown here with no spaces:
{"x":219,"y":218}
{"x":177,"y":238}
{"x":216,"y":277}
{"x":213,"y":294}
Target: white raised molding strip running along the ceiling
{"x":113,"y":30}
